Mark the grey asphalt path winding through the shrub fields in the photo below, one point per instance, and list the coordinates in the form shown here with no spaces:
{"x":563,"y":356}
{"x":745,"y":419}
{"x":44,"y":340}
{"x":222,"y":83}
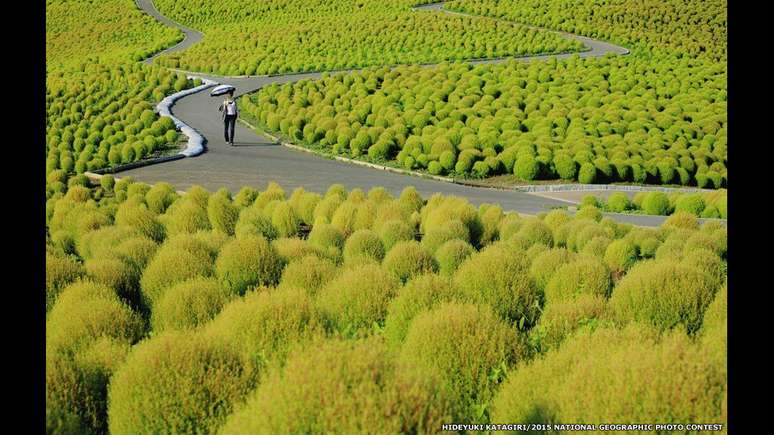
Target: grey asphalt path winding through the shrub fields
{"x":255,"y":160}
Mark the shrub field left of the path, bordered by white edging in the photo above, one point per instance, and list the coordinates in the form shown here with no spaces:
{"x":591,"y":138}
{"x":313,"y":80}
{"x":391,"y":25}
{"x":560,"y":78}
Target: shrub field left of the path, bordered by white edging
{"x":99,"y":99}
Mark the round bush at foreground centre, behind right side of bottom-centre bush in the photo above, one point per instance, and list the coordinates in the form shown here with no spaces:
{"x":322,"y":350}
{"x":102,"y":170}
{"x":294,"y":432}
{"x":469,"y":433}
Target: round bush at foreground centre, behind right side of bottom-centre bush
{"x":357,"y":299}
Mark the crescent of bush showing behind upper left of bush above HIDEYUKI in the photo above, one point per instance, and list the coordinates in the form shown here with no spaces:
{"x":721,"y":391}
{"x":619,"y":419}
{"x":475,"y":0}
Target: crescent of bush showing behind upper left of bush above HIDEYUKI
{"x":420,"y":294}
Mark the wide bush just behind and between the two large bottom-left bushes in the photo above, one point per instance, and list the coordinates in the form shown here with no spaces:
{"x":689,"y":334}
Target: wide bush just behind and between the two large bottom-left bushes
{"x":263,"y":326}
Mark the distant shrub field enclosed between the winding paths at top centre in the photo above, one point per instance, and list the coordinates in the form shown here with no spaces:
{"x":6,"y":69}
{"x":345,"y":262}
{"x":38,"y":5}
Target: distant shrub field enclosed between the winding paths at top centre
{"x":282,"y":36}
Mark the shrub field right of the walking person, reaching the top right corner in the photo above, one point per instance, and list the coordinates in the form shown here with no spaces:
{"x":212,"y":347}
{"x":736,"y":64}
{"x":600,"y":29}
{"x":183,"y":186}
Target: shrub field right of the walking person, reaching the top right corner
{"x":655,"y":116}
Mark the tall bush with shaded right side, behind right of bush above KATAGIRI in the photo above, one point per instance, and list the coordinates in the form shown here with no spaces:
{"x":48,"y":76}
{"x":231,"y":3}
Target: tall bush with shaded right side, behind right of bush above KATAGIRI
{"x":498,"y":276}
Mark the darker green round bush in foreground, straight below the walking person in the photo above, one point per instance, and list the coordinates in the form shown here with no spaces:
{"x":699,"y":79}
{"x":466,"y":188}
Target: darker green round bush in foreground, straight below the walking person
{"x":247,"y":262}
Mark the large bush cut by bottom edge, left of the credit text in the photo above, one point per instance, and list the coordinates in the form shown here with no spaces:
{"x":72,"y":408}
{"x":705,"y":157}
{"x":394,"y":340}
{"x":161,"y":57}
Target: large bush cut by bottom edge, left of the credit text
{"x":382,"y":396}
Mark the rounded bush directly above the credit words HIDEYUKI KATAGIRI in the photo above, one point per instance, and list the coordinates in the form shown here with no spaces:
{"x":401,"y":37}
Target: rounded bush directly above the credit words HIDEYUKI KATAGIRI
{"x":435,"y":338}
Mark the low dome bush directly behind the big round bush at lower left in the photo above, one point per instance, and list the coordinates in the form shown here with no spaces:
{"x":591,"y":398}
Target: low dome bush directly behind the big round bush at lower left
{"x":189,"y":304}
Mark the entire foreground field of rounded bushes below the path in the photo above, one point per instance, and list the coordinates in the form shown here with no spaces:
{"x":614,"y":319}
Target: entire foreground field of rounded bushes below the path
{"x":253,"y":312}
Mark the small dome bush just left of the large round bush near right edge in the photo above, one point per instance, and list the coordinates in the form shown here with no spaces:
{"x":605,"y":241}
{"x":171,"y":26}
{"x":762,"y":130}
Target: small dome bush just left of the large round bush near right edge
{"x":584,"y":275}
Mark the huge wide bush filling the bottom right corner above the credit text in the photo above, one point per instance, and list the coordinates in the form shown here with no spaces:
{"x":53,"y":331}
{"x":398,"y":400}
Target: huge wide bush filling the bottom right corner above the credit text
{"x":633,"y":377}
